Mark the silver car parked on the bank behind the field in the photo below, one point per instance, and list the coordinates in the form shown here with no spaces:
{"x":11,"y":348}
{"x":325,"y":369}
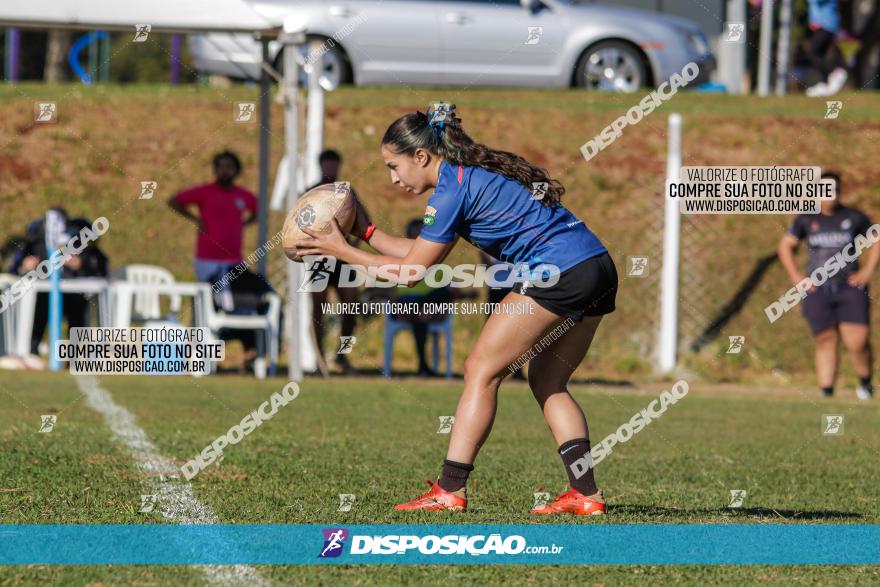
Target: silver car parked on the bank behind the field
{"x":539,"y":43}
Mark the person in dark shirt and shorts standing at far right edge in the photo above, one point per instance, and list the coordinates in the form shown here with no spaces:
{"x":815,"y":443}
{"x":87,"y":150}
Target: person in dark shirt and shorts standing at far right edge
{"x":839,"y":308}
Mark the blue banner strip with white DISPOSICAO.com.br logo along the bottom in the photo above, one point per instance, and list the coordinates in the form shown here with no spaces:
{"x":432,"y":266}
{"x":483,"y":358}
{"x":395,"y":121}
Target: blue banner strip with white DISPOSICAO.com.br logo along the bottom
{"x":704,"y":544}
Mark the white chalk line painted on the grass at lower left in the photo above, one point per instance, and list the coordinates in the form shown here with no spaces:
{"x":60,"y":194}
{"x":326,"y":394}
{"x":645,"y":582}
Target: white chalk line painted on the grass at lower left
{"x":175,"y":499}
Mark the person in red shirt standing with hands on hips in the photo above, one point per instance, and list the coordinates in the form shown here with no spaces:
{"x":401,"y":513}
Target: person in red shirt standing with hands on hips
{"x":224,"y":209}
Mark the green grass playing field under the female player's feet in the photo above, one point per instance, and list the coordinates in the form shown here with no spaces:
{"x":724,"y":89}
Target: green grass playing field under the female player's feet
{"x":378,"y":439}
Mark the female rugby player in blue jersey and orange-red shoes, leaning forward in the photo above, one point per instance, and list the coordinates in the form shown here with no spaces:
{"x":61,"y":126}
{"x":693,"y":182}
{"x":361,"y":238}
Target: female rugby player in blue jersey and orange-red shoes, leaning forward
{"x":484,"y":195}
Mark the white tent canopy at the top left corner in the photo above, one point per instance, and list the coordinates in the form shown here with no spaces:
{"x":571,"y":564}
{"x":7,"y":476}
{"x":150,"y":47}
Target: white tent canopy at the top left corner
{"x":162,"y":15}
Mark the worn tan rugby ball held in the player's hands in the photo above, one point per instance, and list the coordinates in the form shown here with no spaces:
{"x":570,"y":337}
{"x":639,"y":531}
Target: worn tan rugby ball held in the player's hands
{"x":315,"y":210}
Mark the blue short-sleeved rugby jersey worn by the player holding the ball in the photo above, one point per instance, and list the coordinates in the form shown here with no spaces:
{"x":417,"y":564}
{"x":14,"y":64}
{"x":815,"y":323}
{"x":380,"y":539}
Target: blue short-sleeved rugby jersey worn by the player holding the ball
{"x":500,"y":216}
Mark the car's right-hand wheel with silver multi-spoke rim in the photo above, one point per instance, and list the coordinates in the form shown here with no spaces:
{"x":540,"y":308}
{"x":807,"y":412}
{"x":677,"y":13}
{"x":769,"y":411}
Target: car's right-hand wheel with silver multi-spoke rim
{"x":611,"y":66}
